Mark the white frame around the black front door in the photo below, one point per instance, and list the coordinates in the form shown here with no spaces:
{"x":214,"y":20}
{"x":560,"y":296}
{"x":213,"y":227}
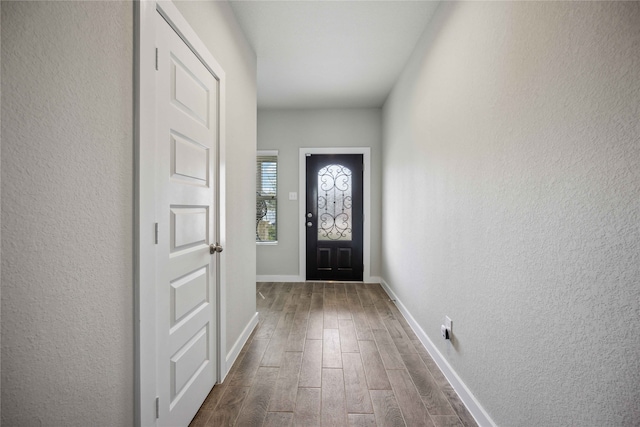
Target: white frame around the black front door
{"x":366,"y":193}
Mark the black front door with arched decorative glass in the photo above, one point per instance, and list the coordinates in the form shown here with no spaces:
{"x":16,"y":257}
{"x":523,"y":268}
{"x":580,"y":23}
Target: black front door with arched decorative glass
{"x":334,"y":217}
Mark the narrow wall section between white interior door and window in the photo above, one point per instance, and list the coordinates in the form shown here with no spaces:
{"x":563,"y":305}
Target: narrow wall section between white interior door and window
{"x":216,"y":25}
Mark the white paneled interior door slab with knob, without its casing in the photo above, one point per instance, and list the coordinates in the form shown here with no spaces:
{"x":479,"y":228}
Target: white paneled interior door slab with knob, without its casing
{"x":186,"y":149}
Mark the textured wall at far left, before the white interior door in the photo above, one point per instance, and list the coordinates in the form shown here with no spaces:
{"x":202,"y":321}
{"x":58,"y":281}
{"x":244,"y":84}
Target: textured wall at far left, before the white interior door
{"x":67,"y":194}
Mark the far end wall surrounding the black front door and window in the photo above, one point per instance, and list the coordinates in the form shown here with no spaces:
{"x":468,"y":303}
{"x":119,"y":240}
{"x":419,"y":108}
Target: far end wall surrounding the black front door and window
{"x":288,"y":131}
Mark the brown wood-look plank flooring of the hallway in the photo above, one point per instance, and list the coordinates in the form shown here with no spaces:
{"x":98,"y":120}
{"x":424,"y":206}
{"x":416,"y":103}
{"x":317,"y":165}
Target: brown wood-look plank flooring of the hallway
{"x":332,"y":354}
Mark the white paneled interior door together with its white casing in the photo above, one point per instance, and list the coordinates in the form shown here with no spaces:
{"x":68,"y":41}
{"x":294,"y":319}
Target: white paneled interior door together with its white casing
{"x":180,"y":156}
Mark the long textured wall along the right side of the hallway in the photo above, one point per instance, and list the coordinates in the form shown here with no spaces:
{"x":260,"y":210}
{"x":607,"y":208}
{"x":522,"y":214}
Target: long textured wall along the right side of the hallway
{"x":511,"y":183}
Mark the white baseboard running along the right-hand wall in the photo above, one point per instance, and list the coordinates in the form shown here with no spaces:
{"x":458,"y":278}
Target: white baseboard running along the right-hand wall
{"x":475,"y":408}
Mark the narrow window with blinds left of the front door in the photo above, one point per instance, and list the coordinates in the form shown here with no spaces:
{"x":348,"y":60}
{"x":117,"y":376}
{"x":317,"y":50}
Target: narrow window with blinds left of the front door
{"x":266,"y":196}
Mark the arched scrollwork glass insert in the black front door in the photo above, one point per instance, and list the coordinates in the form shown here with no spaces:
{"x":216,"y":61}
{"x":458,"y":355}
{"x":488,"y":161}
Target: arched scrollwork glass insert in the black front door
{"x":334,"y":203}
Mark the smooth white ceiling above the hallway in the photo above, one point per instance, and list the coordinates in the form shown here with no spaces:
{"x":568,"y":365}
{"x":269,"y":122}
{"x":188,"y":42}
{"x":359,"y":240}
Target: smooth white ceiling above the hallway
{"x":315,"y":54}
